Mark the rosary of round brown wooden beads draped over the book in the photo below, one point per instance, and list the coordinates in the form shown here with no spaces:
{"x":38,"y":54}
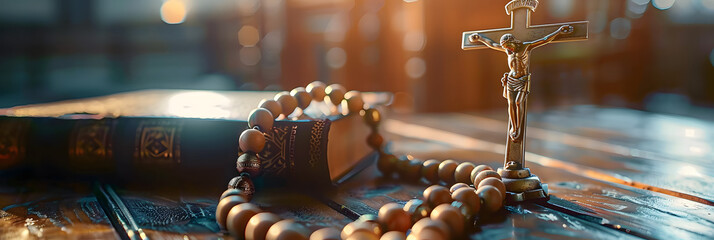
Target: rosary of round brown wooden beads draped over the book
{"x":443,"y":213}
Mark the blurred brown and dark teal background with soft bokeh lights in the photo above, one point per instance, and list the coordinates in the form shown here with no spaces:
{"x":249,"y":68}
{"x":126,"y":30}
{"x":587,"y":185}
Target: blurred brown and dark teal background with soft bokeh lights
{"x":652,"y":55}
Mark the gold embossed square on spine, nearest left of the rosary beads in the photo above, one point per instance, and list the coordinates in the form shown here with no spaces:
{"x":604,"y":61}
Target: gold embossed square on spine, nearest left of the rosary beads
{"x":158,"y":143}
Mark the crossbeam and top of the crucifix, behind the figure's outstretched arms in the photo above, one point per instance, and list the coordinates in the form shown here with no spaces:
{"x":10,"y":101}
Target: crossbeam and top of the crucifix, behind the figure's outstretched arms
{"x":522,"y":30}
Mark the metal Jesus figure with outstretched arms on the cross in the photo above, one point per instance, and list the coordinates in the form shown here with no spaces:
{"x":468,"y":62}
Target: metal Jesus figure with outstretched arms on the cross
{"x":516,"y":83}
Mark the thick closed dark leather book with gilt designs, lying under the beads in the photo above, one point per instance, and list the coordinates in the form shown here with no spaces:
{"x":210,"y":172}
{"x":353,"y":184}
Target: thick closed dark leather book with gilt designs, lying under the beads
{"x":184,"y":138}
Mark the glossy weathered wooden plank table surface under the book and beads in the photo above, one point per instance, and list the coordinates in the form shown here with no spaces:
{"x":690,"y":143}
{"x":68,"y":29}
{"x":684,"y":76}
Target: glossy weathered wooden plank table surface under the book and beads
{"x":612,"y":173}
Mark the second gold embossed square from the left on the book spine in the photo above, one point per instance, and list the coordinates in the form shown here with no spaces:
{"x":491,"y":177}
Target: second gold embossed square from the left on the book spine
{"x":91,"y":146}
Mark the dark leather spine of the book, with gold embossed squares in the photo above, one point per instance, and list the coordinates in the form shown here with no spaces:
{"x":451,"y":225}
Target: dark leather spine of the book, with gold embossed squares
{"x":160,"y":151}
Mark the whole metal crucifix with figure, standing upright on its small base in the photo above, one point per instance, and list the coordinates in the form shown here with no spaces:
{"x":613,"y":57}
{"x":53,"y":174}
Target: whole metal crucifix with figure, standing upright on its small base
{"x":517,"y":42}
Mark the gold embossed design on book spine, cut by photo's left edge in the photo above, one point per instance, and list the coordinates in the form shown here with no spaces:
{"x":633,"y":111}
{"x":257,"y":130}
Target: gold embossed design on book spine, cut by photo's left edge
{"x":12,"y":142}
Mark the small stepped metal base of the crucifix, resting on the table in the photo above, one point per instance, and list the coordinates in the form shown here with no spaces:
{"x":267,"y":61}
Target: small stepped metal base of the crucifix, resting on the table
{"x":522,"y":186}
